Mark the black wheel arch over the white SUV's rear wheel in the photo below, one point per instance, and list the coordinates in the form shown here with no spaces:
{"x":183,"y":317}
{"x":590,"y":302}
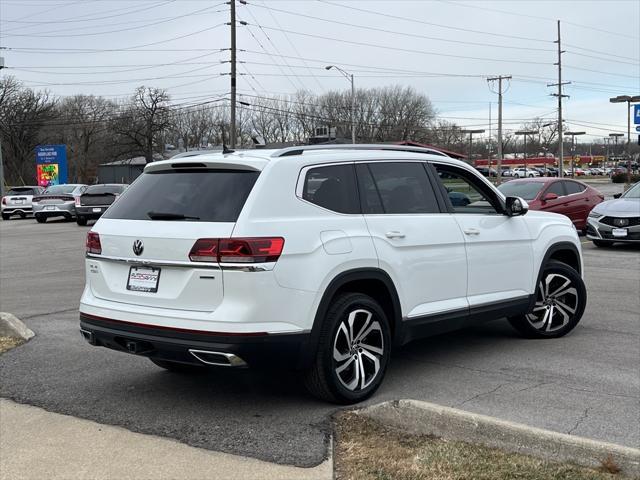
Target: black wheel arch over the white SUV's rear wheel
{"x":374,"y":282}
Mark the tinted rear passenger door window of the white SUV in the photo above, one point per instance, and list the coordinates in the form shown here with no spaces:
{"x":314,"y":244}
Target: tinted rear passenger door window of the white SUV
{"x":403,"y":187}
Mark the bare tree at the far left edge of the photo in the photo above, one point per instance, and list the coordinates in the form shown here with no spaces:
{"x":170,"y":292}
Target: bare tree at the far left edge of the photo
{"x":23,"y":114}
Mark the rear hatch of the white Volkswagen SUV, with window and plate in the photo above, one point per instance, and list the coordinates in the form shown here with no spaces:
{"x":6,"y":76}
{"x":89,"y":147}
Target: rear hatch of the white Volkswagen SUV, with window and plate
{"x":147,"y":235}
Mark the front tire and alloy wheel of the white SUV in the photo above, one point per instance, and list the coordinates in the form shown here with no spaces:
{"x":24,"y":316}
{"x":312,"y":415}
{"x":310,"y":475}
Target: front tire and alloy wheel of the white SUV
{"x":554,"y":315}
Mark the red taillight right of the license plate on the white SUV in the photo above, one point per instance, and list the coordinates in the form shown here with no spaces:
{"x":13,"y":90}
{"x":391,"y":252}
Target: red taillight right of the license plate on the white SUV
{"x":237,"y":250}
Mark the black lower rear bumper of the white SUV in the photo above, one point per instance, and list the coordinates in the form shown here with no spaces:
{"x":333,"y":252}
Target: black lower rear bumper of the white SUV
{"x":179,"y":345}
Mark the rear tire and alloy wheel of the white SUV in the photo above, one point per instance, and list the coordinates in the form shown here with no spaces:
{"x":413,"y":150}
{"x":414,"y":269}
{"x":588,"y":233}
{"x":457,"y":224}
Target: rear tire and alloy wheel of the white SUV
{"x":336,"y":379}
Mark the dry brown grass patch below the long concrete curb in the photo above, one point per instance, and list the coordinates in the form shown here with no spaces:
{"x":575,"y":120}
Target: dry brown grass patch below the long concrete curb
{"x":367,"y":450}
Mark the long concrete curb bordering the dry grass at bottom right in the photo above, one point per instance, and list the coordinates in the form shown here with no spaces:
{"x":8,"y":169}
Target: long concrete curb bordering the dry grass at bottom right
{"x":452,"y":424}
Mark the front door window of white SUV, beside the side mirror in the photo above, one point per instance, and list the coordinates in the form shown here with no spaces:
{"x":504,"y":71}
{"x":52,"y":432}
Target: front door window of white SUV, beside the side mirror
{"x":466,"y":193}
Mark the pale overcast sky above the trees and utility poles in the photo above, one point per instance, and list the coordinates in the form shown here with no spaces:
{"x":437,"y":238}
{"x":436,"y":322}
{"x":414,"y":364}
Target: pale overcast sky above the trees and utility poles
{"x":445,"y":49}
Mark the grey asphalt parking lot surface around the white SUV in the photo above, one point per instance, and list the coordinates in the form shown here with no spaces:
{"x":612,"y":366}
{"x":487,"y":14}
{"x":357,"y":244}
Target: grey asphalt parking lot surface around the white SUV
{"x":587,"y":383}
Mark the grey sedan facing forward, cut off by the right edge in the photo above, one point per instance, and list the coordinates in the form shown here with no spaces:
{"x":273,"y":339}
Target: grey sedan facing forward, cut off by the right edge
{"x":616,"y":220}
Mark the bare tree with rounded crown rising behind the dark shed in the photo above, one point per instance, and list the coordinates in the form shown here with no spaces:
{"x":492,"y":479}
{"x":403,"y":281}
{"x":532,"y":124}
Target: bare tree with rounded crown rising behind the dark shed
{"x":140,"y":124}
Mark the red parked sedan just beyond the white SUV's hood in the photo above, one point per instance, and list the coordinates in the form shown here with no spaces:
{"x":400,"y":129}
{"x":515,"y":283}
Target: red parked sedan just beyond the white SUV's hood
{"x":572,"y":198}
